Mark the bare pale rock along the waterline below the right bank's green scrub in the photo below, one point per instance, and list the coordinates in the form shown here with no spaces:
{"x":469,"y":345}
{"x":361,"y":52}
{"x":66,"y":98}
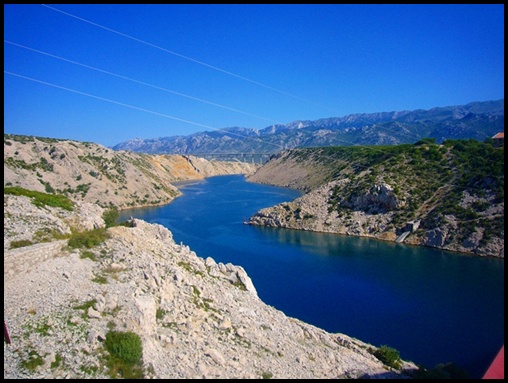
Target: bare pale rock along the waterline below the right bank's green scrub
{"x":371,"y":215}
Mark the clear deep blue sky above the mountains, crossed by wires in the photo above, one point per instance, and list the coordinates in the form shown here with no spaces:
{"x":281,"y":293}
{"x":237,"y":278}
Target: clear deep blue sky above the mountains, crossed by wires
{"x":109,"y":73}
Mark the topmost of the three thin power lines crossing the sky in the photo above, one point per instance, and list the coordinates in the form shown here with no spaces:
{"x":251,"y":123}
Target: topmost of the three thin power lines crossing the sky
{"x":186,"y":57}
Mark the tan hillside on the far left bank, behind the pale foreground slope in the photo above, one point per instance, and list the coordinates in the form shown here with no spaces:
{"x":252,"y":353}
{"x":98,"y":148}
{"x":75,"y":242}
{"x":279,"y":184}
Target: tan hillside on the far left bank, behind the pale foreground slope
{"x":93,"y":173}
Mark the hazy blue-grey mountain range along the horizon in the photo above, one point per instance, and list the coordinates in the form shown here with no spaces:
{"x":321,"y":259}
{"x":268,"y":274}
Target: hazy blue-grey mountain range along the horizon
{"x":477,"y":120}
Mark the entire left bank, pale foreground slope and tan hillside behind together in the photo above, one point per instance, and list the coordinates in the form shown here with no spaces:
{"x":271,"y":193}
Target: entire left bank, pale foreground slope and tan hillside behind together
{"x":87,"y":298}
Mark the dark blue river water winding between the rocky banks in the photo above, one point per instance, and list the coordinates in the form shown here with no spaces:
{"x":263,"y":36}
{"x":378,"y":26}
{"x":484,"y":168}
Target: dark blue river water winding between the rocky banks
{"x":432,"y":306}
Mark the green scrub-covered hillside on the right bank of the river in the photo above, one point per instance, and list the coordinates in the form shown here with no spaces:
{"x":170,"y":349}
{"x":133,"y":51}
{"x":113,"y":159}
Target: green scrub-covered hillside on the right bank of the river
{"x":449,"y":196}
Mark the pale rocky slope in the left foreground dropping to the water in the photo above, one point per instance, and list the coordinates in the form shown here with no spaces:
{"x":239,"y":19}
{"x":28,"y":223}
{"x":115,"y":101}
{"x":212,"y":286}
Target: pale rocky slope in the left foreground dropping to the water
{"x":196,"y":318}
